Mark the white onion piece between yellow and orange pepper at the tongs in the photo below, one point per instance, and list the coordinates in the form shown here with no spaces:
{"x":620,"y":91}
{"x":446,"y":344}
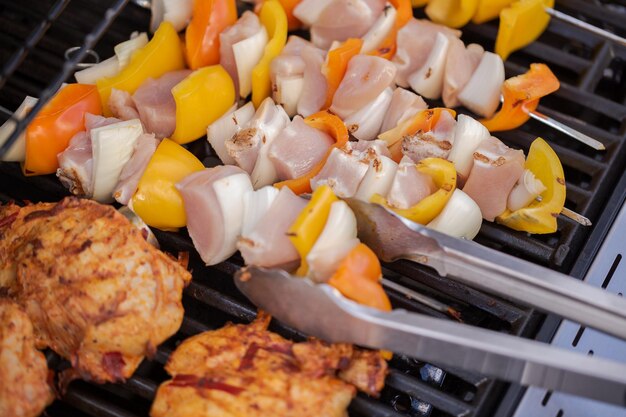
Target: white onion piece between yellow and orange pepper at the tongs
{"x":337,"y":239}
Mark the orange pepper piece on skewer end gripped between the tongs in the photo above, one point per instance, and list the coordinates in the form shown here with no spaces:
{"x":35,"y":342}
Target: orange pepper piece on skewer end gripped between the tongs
{"x":358,"y":278}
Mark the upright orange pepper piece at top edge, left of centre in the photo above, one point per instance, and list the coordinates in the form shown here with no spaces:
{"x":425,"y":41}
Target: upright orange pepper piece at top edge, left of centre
{"x":202,"y":38}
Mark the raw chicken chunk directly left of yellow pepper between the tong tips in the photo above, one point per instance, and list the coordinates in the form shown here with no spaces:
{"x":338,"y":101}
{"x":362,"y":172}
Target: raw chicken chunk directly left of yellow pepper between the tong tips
{"x":268,"y":244}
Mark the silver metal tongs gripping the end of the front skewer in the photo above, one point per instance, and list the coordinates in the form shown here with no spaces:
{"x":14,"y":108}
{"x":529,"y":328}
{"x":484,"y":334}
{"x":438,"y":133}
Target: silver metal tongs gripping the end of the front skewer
{"x":321,"y":311}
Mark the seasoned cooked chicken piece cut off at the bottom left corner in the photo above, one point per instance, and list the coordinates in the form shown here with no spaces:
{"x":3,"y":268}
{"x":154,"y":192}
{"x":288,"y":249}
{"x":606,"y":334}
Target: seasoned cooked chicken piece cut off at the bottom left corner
{"x":24,"y":391}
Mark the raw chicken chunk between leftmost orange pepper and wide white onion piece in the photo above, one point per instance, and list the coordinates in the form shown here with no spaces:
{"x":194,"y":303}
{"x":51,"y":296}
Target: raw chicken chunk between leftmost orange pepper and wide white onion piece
{"x":76,"y":162}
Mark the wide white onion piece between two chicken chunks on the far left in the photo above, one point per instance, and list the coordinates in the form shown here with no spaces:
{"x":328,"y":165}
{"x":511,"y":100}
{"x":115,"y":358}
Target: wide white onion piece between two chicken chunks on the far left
{"x":112,"y":147}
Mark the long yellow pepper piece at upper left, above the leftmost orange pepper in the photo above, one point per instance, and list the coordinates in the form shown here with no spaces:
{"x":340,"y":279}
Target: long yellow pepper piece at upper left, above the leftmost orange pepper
{"x":164,"y":53}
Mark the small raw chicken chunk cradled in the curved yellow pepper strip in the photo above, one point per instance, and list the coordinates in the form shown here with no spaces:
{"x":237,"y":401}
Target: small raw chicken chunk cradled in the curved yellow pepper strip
{"x":409,"y":186}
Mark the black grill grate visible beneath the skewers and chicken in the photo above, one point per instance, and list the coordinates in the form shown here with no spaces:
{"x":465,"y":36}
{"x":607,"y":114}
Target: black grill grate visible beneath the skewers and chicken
{"x":592,"y":99}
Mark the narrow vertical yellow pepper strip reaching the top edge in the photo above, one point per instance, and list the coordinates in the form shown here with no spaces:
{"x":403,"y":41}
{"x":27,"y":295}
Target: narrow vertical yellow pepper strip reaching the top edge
{"x":274,"y":19}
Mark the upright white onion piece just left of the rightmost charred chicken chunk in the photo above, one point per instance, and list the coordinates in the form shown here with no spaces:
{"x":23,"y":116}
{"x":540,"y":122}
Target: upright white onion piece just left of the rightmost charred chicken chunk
{"x":467,"y":136}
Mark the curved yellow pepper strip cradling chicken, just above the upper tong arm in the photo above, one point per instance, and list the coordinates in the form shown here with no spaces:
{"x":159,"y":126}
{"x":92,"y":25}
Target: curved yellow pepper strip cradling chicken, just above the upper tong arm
{"x":443,"y":174}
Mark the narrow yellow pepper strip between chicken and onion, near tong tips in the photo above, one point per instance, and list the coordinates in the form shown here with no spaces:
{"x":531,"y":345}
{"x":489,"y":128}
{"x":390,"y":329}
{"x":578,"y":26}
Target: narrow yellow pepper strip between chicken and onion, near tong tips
{"x":307,"y":228}
